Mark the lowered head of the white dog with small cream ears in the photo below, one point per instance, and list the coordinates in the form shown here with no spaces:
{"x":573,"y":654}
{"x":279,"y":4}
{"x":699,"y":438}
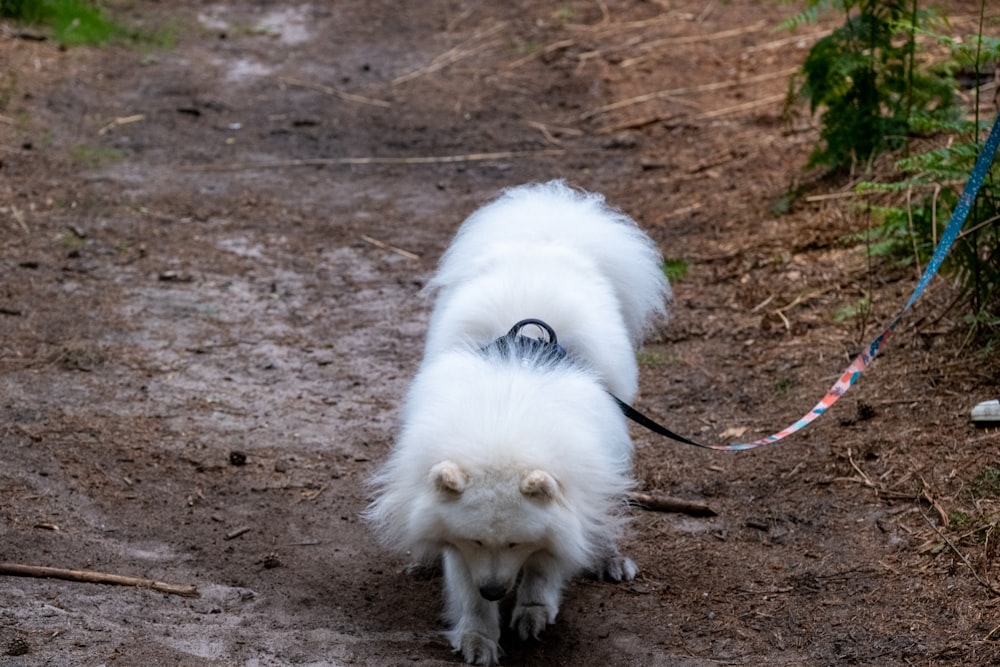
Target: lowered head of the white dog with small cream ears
{"x":493,"y":521}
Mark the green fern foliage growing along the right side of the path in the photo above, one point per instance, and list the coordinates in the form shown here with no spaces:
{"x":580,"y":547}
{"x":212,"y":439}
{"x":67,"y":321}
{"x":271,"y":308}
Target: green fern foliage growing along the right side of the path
{"x":875,"y":95}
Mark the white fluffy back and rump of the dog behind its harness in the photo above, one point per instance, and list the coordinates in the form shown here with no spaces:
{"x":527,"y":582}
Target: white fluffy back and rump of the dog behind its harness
{"x":554,"y":253}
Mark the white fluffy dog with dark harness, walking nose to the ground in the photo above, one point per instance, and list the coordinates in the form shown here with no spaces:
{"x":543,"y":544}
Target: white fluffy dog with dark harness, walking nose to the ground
{"x":514,"y":459}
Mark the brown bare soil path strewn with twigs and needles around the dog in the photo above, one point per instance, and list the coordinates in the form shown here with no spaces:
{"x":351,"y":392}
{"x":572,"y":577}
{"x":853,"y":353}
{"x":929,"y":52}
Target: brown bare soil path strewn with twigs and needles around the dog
{"x":210,"y":266}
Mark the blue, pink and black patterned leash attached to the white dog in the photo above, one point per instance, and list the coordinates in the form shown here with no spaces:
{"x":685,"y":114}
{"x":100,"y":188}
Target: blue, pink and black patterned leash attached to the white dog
{"x":865,"y":359}
